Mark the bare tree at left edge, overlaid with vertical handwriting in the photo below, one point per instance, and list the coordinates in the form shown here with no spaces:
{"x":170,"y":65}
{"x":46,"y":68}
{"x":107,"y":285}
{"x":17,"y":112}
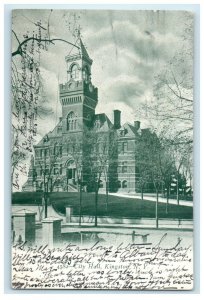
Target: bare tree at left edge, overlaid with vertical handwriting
{"x":27,"y":88}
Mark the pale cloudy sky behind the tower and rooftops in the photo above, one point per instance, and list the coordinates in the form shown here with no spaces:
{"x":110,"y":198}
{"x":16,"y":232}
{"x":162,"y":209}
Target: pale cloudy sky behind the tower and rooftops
{"x":128,"y":49}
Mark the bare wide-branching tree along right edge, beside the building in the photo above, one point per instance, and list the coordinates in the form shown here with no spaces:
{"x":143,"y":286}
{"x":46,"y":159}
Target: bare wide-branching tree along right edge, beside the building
{"x":170,"y":111}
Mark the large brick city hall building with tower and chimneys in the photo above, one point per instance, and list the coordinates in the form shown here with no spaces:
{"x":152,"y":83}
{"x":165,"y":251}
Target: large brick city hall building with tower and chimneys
{"x":57,"y":165}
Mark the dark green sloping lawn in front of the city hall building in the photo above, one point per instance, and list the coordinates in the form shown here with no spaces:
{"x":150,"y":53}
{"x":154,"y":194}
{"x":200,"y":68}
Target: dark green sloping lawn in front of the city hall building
{"x":117,"y":206}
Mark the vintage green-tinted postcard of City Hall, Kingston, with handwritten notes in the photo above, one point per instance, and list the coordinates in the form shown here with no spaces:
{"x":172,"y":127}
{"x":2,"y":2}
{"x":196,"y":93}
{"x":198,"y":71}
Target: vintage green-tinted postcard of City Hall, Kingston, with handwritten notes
{"x":102,"y":149}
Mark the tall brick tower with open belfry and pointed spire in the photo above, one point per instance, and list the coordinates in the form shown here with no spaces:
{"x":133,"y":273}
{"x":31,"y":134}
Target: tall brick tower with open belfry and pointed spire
{"x":78,"y":96}
